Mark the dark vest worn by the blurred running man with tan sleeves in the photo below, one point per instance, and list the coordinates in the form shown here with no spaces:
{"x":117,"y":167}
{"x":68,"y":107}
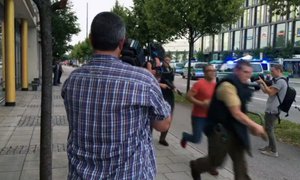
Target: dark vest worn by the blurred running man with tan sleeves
{"x":219,"y":113}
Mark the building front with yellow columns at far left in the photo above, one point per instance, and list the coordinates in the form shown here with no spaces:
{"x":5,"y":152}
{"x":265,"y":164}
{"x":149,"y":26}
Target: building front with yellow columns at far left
{"x":20,"y":47}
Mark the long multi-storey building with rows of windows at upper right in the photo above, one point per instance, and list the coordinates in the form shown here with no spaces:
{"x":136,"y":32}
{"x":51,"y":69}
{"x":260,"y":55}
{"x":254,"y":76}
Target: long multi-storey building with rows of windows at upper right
{"x":257,"y":29}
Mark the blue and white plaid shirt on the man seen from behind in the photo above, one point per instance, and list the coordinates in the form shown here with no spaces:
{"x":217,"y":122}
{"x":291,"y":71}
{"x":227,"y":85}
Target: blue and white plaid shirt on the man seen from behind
{"x":109,"y":106}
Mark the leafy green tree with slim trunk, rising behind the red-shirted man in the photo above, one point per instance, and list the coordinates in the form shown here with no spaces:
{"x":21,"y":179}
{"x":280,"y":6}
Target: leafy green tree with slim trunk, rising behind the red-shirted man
{"x":191,"y":19}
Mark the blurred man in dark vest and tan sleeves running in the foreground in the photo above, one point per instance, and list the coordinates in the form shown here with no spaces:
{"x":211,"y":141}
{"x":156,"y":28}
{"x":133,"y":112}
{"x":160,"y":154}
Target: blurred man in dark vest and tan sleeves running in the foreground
{"x":228,"y":132}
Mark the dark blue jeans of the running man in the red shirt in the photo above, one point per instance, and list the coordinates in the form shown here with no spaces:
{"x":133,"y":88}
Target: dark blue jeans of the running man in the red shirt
{"x":198,"y":125}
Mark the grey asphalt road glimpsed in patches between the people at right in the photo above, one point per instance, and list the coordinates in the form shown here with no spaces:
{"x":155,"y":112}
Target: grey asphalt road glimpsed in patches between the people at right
{"x":259,"y":99}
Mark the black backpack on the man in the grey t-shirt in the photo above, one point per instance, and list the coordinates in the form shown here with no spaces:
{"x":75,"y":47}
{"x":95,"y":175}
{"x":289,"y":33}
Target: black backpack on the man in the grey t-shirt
{"x":288,"y":100}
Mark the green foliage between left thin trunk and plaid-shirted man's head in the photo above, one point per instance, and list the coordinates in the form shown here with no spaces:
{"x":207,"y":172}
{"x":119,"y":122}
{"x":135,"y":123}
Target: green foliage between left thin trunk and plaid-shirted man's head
{"x":64,"y":25}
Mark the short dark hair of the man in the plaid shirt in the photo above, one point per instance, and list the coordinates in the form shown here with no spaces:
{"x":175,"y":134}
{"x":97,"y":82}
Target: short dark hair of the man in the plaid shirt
{"x":107,"y":30}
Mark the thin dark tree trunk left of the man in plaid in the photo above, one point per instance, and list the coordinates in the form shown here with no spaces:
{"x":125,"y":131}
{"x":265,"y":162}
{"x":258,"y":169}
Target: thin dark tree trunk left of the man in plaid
{"x":45,"y":12}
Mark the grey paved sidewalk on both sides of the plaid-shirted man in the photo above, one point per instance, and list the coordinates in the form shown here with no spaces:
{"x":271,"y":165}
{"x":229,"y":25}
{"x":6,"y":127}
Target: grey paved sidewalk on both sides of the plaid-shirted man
{"x":20,"y":142}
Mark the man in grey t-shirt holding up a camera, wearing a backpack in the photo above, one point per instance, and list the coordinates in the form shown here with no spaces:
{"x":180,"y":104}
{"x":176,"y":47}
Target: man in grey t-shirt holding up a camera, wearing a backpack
{"x":277,"y":86}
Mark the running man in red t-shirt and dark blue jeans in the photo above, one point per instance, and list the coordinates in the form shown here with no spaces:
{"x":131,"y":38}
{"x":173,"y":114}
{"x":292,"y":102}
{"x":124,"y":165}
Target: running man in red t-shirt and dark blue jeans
{"x":200,"y":96}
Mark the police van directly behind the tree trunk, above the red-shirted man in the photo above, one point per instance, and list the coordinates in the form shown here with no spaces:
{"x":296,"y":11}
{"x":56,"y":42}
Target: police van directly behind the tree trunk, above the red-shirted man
{"x":196,"y":70}
